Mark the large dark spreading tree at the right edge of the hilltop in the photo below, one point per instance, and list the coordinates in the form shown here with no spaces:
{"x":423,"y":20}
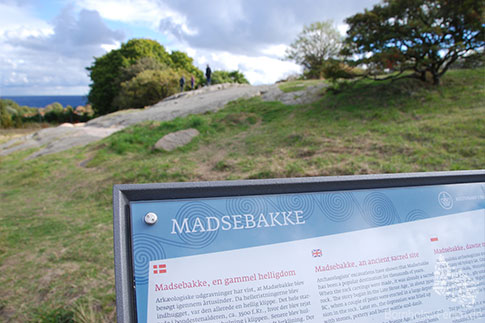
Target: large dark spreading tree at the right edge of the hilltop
{"x":424,"y":36}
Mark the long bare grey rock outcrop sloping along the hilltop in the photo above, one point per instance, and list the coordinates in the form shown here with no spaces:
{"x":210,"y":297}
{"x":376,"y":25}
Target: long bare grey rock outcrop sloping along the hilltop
{"x":211,"y":98}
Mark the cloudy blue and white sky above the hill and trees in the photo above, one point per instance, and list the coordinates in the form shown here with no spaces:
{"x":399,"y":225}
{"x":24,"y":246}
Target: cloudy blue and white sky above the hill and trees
{"x":46,"y":45}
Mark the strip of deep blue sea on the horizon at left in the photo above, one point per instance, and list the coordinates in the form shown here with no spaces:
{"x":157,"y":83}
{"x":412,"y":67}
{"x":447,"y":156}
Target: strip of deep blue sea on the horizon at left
{"x":41,"y":101}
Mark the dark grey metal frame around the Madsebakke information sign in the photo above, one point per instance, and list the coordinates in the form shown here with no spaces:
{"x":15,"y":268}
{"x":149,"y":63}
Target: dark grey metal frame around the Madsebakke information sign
{"x":126,"y":193}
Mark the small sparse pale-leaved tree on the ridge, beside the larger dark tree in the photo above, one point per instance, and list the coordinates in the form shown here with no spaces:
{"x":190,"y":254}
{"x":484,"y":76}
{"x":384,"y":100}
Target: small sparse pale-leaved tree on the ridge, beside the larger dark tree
{"x":316,"y":44}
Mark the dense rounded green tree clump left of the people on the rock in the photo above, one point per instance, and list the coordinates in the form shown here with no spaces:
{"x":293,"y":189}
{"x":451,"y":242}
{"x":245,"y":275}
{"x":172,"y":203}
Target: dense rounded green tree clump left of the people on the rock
{"x":118,"y":73}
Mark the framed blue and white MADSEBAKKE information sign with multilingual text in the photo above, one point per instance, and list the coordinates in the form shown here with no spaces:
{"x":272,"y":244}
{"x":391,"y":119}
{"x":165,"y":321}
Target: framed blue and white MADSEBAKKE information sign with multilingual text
{"x":387,"y":248}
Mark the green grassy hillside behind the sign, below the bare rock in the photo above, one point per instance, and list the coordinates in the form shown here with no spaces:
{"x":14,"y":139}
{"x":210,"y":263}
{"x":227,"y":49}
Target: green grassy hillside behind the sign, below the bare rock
{"x":56,"y":258}
